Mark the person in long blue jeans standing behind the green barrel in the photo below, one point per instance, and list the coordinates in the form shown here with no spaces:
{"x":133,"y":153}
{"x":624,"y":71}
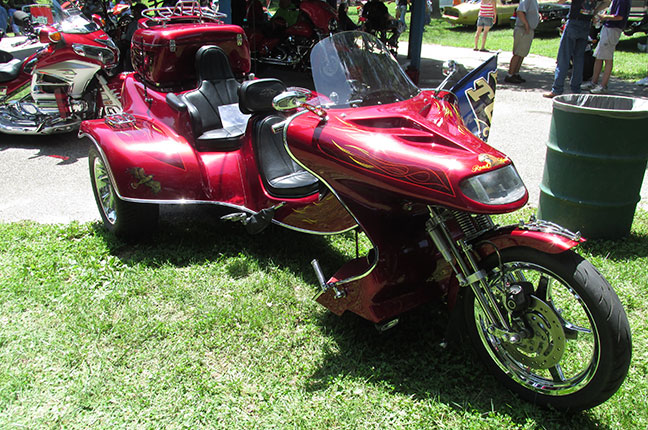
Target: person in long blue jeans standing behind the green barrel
{"x":573,"y":43}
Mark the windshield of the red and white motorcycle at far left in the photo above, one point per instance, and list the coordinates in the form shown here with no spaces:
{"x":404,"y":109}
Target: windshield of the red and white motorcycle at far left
{"x":67,"y":19}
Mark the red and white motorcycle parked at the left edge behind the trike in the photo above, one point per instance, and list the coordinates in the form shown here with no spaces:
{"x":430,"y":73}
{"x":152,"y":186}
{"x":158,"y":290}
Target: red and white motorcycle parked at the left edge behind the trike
{"x":56,"y":88}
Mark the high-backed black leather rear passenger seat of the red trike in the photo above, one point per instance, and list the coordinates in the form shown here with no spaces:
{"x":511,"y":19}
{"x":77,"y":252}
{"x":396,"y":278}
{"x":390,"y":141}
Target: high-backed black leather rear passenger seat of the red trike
{"x":217,"y":87}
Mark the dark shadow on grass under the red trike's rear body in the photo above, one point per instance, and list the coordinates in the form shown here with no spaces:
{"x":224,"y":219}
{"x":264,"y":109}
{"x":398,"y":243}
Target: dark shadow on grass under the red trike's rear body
{"x":195,"y":234}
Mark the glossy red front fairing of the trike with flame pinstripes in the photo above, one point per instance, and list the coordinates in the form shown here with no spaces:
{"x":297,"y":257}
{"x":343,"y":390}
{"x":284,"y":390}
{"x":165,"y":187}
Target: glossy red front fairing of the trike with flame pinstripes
{"x":416,"y":149}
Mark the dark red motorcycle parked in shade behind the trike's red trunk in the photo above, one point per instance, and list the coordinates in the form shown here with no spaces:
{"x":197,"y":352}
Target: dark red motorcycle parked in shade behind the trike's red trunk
{"x":292,"y":47}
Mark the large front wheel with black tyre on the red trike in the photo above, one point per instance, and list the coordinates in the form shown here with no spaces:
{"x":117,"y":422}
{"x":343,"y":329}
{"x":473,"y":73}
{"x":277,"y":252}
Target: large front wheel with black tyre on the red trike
{"x":575,"y":347}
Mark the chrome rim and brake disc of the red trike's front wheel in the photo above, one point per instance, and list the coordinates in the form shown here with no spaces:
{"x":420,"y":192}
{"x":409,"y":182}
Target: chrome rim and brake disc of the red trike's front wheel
{"x":562,"y":354}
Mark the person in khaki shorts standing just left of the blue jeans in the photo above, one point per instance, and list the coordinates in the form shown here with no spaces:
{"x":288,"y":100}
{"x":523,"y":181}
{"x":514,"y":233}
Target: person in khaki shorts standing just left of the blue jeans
{"x":528,"y":18}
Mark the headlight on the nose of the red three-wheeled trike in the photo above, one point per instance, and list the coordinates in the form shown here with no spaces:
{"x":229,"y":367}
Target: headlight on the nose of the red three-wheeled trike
{"x":497,"y":187}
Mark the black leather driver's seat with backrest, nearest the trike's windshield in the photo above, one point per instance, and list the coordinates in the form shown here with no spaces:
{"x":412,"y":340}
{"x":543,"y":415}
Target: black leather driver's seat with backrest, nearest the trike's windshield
{"x":281,"y":175}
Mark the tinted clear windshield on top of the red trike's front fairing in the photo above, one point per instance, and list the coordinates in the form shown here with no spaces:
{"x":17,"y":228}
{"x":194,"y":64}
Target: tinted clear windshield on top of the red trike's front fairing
{"x":353,"y":69}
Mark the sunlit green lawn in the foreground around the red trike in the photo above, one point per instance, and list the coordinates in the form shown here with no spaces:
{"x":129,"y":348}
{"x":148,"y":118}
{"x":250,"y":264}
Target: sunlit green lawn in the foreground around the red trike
{"x":207,"y":327}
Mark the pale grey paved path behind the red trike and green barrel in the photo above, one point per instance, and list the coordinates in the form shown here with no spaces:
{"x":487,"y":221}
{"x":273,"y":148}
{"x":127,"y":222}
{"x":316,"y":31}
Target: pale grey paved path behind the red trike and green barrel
{"x":45,"y":179}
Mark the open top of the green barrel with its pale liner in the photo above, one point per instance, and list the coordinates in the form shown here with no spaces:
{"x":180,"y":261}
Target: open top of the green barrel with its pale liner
{"x":603,"y":105}
